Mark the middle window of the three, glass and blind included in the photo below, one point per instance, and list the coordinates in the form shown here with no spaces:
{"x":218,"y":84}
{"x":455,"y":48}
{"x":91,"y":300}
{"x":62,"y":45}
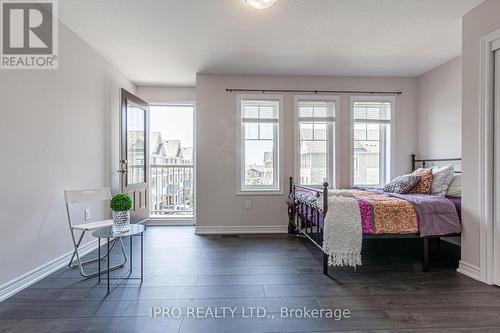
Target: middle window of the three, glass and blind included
{"x":315,"y":140}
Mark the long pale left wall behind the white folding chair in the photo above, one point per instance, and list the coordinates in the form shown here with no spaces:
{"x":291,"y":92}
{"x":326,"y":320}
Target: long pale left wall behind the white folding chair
{"x":59,"y":130}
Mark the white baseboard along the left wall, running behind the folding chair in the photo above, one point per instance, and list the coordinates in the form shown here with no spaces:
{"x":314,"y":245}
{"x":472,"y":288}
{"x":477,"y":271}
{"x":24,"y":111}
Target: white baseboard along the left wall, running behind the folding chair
{"x":24,"y":281}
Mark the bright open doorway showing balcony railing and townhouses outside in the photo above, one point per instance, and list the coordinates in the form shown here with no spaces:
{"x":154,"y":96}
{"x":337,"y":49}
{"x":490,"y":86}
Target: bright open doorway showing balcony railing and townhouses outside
{"x":172,"y":169}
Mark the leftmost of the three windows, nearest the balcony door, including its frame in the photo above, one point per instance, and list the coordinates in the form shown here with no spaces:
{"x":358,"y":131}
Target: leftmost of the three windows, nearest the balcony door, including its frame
{"x":260,"y":123}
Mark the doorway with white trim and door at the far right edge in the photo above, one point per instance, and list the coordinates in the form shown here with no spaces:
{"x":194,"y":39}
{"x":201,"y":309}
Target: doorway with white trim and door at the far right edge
{"x":489,"y":163}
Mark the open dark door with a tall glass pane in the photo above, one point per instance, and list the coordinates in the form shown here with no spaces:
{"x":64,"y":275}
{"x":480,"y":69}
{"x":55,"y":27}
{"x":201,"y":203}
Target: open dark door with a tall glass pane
{"x":134,"y":163}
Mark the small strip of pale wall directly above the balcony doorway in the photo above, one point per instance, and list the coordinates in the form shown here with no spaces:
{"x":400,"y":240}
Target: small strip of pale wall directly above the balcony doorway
{"x":157,"y":94}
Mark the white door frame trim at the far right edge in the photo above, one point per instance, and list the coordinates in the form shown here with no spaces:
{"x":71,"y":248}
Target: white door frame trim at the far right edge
{"x":489,"y":219}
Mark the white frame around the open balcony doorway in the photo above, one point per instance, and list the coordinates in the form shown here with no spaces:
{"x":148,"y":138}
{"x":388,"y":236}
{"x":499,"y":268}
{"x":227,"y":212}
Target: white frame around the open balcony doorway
{"x":180,"y":221}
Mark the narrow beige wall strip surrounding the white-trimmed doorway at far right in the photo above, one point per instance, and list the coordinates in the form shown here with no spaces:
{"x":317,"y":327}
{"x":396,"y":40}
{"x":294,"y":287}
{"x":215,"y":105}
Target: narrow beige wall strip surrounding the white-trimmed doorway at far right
{"x":476,"y":24}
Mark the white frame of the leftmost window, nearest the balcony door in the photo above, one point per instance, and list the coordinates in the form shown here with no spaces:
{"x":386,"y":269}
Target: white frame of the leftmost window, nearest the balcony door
{"x":278,"y":171}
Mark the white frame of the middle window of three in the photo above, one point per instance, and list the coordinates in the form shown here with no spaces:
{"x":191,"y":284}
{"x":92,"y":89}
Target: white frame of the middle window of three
{"x":333,"y":140}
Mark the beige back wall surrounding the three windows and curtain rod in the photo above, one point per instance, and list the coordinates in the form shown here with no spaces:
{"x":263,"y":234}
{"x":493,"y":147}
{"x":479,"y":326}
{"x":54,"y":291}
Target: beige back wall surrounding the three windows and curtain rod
{"x":217,"y":202}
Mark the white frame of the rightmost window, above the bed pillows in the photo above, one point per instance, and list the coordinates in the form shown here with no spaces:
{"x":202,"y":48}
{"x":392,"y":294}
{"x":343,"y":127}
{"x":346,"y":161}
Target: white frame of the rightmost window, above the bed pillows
{"x":392,"y":122}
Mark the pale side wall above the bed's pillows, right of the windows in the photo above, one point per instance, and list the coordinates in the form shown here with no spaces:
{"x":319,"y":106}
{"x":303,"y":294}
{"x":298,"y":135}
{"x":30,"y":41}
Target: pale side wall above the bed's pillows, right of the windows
{"x":440,"y":111}
